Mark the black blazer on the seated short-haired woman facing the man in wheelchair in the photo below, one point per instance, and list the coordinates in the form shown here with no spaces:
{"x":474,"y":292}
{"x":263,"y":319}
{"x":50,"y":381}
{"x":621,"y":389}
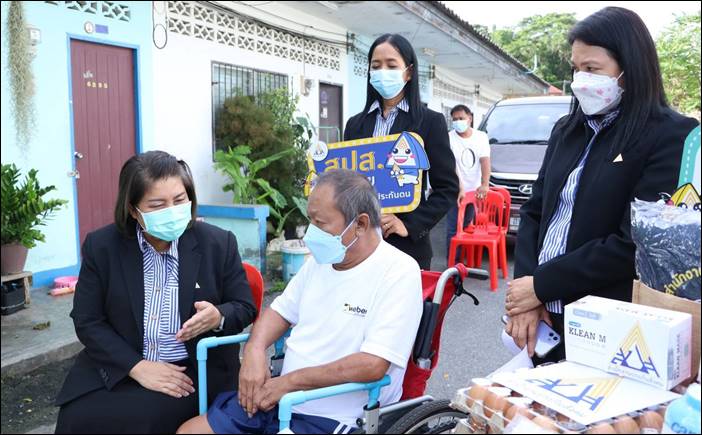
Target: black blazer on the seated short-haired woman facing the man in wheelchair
{"x":108,"y":306}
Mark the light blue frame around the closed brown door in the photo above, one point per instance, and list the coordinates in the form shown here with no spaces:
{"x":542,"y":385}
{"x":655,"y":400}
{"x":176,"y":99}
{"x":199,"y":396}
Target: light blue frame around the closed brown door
{"x":136,"y":50}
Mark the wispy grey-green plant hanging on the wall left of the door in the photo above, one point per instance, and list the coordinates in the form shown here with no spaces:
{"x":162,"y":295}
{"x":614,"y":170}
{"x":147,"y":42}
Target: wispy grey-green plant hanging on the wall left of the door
{"x":19,"y":69}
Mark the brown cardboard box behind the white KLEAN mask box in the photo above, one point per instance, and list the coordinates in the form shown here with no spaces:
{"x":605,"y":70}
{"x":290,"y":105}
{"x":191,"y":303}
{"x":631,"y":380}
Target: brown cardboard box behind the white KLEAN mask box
{"x":645,"y":295}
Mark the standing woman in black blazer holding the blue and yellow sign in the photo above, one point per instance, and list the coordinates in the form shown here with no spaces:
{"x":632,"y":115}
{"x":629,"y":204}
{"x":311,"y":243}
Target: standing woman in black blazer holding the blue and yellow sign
{"x":393,"y":106}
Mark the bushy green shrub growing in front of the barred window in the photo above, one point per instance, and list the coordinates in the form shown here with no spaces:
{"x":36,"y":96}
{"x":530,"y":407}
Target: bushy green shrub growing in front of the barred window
{"x":268,"y":125}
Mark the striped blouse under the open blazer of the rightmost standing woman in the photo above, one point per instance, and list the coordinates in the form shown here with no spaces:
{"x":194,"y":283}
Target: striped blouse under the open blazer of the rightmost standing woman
{"x":557,"y":233}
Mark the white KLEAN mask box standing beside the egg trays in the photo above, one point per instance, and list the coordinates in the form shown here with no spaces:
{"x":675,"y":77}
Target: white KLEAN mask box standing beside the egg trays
{"x":643,"y":343}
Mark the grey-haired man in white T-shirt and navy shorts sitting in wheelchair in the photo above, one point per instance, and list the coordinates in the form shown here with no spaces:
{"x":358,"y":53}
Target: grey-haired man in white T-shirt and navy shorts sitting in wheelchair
{"x":354,"y":310}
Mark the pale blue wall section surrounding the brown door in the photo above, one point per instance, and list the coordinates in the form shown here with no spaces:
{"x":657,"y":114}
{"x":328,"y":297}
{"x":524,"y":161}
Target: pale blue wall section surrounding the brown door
{"x":50,"y":150}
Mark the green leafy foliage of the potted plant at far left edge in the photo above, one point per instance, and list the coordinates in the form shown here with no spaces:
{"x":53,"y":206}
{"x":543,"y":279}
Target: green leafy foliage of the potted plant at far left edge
{"x":24,"y":208}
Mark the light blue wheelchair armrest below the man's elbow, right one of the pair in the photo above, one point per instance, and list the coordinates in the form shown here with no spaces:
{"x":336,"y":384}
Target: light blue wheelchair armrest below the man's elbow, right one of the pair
{"x":298,"y":397}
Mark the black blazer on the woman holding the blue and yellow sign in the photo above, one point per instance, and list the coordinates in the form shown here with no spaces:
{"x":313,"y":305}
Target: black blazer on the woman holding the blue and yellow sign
{"x":442,"y":174}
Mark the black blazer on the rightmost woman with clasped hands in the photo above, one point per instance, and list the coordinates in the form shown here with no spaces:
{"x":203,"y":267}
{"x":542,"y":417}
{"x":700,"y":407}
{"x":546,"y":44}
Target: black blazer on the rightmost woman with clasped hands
{"x":599,"y":258}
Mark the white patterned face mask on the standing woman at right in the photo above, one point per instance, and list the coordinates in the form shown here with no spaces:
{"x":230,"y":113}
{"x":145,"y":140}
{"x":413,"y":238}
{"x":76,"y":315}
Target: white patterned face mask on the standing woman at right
{"x":596,"y":93}
